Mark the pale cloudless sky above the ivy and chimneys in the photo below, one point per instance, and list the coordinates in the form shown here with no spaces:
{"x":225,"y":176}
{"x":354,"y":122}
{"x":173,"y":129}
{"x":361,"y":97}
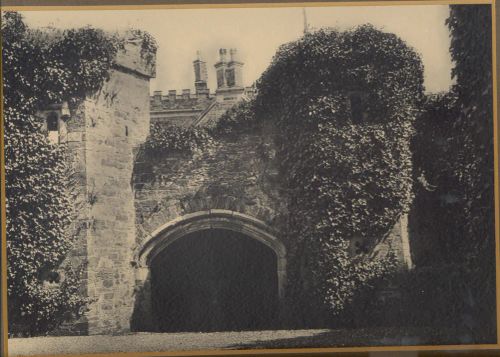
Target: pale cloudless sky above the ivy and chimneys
{"x":257,"y":33}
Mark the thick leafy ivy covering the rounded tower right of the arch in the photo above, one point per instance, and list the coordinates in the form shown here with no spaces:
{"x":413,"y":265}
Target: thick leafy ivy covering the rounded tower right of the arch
{"x":345,"y":103}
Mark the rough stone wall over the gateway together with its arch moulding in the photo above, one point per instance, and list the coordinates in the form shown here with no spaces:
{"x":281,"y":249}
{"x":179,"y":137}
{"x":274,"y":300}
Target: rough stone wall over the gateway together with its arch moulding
{"x":228,"y":183}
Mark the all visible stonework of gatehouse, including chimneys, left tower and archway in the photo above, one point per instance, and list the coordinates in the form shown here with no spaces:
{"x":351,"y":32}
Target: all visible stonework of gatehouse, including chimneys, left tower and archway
{"x":178,"y":242}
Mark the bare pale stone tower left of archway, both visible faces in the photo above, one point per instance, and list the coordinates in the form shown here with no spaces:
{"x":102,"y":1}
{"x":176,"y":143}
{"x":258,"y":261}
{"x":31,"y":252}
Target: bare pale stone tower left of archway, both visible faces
{"x":102,"y":133}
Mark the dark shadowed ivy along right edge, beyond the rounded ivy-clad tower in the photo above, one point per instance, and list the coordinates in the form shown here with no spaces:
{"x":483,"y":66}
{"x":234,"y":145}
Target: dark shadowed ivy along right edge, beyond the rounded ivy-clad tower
{"x":453,"y":215}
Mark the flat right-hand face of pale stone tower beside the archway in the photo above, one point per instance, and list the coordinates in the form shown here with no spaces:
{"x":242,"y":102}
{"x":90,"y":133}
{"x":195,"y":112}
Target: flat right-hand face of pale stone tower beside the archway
{"x":116,"y":127}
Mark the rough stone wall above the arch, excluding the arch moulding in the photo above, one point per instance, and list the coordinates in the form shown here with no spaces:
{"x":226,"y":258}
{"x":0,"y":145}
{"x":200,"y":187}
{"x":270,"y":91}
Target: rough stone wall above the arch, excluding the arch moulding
{"x":236,"y":174}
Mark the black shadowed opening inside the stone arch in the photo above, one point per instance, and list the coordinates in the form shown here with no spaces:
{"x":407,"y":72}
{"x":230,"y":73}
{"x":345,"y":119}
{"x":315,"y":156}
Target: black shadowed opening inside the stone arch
{"x":215,"y":280}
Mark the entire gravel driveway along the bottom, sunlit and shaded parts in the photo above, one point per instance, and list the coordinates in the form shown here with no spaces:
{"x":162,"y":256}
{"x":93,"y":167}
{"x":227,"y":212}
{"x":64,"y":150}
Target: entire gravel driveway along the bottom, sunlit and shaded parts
{"x":162,"y":342}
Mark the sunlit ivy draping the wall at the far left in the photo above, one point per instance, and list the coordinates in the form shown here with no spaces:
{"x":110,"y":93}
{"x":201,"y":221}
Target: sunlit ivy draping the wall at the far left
{"x":43,"y":67}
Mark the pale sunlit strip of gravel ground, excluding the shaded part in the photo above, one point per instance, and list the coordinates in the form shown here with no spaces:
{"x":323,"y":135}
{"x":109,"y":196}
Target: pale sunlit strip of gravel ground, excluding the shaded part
{"x":148,"y":342}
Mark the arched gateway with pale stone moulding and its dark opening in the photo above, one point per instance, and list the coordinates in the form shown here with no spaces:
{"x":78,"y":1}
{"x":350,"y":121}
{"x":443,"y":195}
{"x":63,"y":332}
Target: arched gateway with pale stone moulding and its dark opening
{"x":215,"y":270}
